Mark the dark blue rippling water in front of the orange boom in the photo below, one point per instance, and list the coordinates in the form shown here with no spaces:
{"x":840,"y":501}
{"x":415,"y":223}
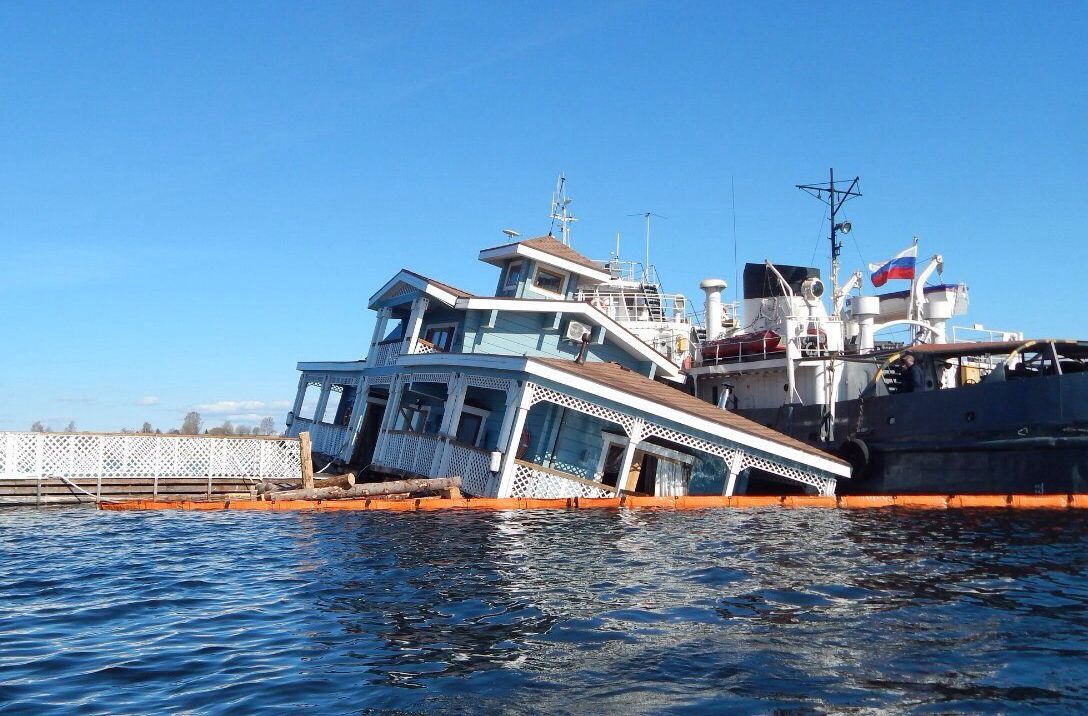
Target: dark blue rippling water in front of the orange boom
{"x":592,"y":612}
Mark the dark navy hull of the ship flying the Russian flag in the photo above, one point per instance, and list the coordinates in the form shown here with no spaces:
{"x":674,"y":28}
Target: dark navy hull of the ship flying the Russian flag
{"x":1027,"y":437}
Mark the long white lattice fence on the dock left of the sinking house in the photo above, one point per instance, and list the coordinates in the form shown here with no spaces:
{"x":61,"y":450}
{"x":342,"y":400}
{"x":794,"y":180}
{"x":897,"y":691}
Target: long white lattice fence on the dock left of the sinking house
{"x":30,"y":455}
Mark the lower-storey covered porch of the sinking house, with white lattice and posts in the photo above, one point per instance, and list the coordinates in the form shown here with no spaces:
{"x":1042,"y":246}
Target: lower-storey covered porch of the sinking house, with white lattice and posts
{"x":533,"y":433}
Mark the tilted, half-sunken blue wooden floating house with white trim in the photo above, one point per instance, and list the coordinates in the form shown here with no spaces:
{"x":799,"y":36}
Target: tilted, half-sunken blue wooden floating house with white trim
{"x":534,"y":392}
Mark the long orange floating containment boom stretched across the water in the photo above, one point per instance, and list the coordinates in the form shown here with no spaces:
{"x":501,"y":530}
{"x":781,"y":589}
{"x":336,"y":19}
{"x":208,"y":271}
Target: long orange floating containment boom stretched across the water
{"x":630,"y":502}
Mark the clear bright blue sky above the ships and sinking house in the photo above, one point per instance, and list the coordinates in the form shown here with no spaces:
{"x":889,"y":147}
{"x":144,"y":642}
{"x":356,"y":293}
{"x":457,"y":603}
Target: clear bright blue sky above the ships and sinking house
{"x":196,"y":196}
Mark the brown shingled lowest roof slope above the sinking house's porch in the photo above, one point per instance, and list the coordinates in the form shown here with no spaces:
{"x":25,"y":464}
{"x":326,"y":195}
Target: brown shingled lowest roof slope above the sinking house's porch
{"x":627,"y":381}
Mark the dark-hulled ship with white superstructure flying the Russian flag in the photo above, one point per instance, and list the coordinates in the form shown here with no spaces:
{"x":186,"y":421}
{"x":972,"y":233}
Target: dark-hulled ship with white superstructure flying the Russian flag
{"x":926,"y":414}
